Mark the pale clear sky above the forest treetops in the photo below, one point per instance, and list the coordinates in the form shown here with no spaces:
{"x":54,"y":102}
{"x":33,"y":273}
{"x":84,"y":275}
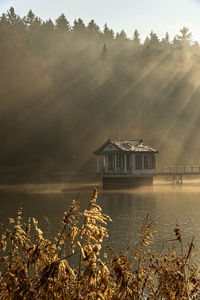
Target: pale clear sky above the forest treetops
{"x":144,"y":15}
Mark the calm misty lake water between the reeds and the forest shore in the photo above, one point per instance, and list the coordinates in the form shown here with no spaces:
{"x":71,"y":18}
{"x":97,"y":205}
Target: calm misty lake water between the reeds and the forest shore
{"x":165,"y":203}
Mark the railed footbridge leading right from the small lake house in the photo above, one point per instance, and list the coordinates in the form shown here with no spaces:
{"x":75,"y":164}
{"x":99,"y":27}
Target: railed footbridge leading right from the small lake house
{"x":177,"y":170}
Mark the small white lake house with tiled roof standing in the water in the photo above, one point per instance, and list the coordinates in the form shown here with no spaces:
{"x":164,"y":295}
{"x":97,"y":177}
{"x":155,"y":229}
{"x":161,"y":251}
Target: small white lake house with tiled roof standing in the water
{"x":125,"y":163}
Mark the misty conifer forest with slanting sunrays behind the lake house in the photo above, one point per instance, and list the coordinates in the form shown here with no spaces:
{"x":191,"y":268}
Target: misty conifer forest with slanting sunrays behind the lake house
{"x":65,"y":88}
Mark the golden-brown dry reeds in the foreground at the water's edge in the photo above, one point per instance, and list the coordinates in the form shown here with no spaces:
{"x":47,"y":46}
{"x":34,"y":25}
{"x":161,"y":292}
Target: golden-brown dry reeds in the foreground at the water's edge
{"x":73,"y":266}
